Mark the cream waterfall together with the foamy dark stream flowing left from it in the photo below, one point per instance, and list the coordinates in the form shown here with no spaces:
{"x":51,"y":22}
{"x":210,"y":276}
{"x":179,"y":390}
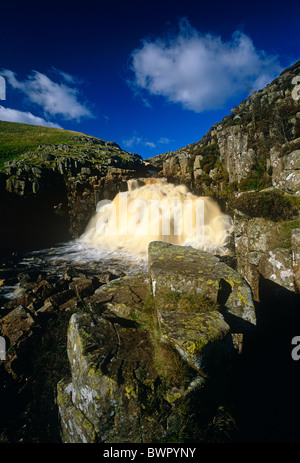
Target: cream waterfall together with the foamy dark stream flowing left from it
{"x":118,"y":235}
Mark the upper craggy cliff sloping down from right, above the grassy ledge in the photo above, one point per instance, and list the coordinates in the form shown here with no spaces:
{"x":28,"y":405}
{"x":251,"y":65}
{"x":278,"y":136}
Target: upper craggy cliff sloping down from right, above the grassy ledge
{"x":255,"y":147}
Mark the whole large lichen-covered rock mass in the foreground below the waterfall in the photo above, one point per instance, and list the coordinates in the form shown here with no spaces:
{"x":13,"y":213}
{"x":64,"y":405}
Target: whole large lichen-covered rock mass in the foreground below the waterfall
{"x":151,"y":356}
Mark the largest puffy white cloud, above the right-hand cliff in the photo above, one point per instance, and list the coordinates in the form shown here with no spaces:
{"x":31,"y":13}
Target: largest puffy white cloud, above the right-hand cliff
{"x":200,"y":71}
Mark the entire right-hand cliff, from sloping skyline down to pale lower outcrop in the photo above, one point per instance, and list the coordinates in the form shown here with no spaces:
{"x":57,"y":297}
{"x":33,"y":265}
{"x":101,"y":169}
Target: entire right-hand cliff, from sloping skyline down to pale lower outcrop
{"x":250,"y":163}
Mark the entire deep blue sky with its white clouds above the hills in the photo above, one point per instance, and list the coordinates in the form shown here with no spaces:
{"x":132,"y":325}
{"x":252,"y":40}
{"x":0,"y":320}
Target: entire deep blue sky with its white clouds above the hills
{"x":153,"y":76}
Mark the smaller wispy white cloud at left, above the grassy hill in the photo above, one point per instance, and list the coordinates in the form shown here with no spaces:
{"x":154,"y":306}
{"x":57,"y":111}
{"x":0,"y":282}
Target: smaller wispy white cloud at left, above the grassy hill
{"x":55,"y":99}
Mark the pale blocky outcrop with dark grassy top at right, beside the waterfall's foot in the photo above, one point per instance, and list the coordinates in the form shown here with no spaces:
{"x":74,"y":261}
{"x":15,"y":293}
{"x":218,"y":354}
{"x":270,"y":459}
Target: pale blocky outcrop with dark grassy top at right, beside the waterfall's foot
{"x":264,"y":246}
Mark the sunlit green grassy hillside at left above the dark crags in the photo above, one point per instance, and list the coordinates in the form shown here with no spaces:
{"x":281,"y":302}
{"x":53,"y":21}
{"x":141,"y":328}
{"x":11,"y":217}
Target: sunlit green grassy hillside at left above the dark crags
{"x":17,"y":138}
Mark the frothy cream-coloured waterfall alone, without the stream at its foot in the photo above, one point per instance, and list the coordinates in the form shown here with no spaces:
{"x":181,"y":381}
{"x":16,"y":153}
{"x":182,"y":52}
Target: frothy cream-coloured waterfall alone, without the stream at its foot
{"x":154,"y":210}
